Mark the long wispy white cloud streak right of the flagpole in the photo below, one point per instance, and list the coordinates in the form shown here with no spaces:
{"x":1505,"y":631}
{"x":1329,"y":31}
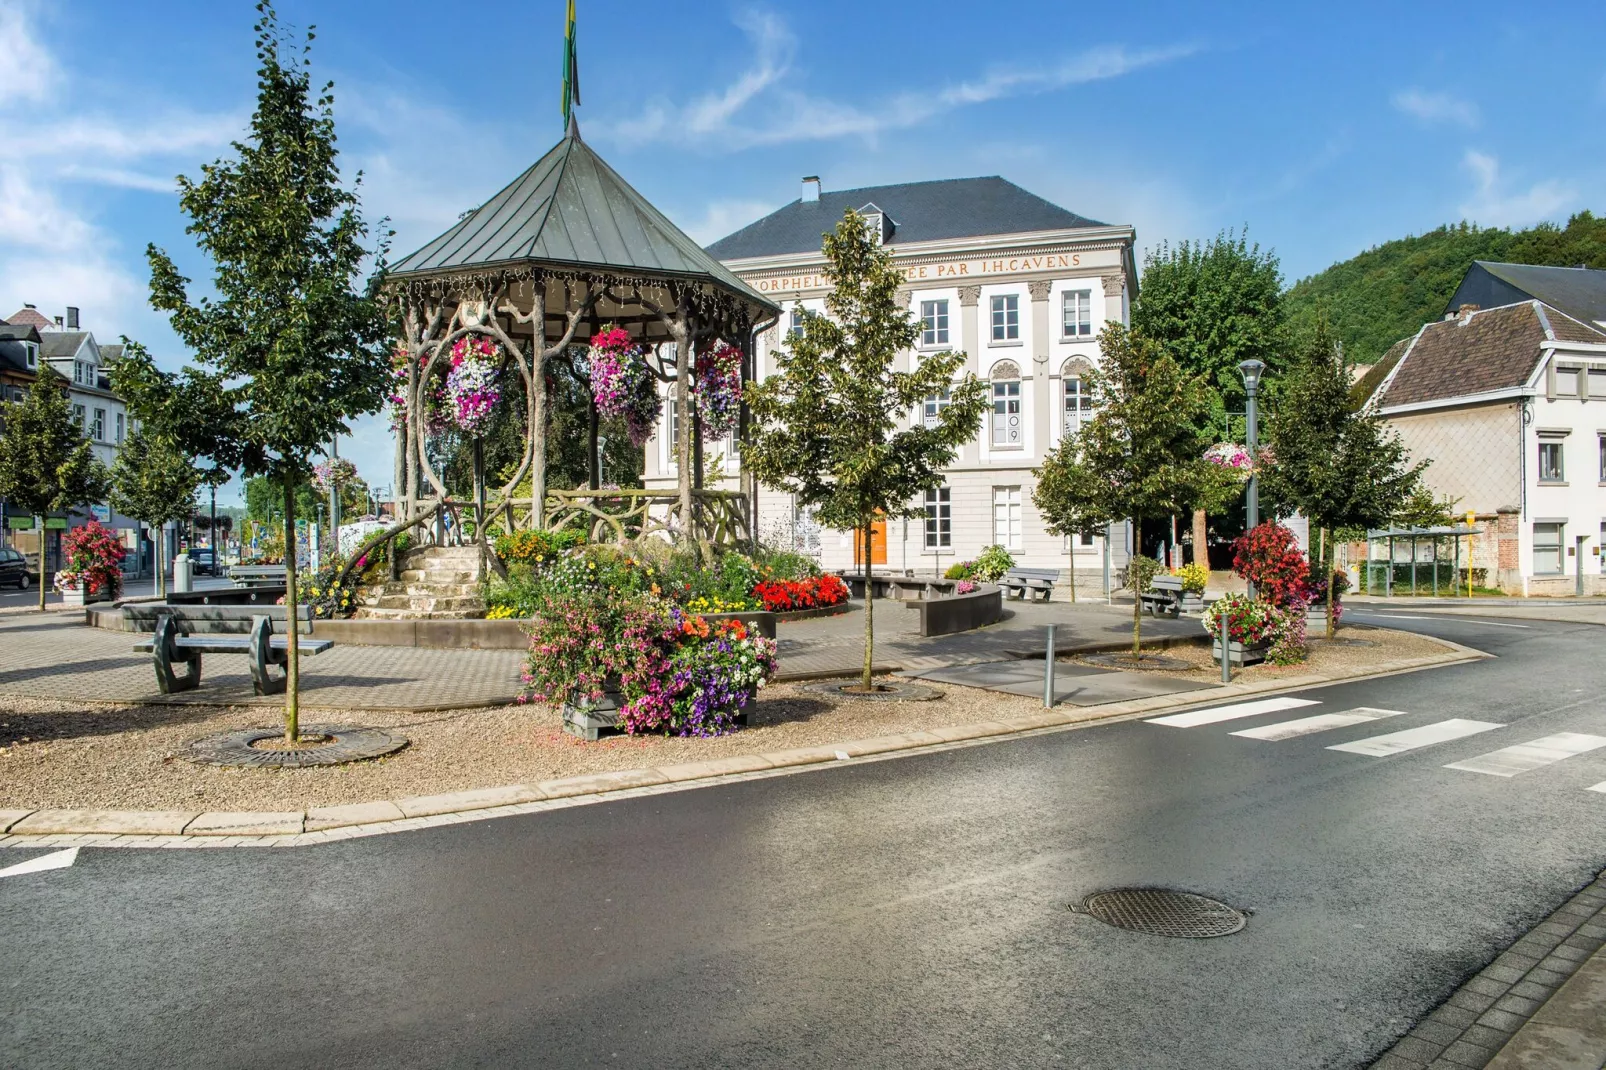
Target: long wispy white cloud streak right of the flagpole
{"x":757,"y":108}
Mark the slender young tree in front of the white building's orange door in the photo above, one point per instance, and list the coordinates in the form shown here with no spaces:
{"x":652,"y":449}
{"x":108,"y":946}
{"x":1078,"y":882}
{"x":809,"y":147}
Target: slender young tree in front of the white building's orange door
{"x":833,"y":425}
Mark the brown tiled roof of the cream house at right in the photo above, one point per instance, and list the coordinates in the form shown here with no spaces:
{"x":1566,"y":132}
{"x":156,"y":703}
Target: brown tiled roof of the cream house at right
{"x":1494,"y":349}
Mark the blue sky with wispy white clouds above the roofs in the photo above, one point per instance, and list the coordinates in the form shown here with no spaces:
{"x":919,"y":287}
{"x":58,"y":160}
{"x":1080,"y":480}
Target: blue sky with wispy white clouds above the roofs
{"x":1323,"y":131}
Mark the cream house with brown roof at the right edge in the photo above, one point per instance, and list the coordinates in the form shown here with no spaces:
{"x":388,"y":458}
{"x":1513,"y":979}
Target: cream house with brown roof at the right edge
{"x":1509,"y":407}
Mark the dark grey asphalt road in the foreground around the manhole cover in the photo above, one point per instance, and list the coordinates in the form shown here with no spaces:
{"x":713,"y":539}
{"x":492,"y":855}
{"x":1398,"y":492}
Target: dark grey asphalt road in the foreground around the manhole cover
{"x":899,"y":913}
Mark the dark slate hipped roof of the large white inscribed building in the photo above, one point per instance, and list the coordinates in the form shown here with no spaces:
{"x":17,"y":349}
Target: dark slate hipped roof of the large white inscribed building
{"x":921,"y":211}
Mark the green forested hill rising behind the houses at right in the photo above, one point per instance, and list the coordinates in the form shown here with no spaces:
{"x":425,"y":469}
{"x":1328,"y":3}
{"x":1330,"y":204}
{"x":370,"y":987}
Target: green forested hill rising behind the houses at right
{"x":1390,"y":292}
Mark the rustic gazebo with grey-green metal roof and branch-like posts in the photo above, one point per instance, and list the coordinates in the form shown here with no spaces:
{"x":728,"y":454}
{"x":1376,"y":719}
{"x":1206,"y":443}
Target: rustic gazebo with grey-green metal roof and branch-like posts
{"x":565,"y":248}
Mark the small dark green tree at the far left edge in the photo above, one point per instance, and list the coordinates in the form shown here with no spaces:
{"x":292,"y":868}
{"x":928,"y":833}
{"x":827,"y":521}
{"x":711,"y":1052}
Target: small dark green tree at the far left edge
{"x":46,"y":462}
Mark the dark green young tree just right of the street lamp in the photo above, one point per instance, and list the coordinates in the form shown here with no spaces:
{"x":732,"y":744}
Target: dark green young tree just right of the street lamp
{"x":1334,"y":462}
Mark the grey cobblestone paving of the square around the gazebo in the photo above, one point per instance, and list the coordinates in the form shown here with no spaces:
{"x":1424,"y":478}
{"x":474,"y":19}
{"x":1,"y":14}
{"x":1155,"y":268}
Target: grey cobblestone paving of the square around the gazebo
{"x":55,"y":656}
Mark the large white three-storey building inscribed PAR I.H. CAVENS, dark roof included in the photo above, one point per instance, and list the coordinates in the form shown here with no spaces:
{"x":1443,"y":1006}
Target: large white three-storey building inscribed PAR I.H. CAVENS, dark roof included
{"x":1019,"y":285}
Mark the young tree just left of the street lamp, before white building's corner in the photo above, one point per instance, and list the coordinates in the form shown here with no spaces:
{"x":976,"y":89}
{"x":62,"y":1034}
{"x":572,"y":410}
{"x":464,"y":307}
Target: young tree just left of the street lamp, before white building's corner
{"x":1143,"y":455}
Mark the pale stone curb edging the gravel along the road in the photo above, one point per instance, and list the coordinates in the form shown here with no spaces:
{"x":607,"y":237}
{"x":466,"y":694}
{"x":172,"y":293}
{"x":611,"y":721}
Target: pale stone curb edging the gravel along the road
{"x":158,"y":828}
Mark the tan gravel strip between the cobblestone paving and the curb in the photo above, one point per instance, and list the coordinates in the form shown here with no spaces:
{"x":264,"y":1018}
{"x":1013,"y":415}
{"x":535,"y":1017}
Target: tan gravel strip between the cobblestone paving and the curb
{"x":123,"y":758}
